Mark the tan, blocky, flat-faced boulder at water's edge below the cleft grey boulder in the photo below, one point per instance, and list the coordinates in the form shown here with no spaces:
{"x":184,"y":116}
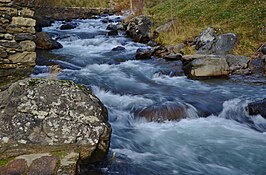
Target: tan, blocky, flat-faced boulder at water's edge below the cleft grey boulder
{"x":207,"y":66}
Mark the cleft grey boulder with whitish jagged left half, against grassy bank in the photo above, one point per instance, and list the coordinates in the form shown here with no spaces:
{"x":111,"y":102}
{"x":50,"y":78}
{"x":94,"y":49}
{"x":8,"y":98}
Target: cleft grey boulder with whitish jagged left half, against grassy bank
{"x":209,"y":43}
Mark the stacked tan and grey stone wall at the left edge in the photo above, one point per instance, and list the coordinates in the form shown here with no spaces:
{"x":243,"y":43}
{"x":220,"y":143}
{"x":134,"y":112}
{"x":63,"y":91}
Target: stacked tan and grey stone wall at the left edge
{"x":17,"y":49}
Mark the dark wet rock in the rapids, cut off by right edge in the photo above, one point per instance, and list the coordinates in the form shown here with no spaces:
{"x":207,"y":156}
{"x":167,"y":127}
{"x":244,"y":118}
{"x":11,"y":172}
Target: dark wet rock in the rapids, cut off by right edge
{"x":257,"y":108}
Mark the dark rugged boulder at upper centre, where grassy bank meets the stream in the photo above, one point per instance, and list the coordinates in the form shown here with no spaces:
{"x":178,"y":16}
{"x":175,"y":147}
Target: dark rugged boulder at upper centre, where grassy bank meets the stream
{"x":139,"y":29}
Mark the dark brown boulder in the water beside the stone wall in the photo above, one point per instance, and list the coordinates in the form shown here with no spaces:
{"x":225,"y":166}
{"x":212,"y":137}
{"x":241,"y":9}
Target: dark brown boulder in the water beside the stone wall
{"x":45,"y":42}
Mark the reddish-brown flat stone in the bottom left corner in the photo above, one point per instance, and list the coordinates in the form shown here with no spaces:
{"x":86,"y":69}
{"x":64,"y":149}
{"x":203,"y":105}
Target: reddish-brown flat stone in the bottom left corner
{"x":18,"y":167}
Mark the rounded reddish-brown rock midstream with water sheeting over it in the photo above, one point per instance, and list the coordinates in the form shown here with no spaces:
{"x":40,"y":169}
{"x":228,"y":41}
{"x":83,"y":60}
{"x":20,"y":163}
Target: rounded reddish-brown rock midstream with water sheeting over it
{"x":168,"y":111}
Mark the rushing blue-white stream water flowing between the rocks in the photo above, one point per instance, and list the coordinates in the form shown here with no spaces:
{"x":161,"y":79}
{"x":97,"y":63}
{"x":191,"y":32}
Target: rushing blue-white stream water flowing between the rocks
{"x":227,"y":142}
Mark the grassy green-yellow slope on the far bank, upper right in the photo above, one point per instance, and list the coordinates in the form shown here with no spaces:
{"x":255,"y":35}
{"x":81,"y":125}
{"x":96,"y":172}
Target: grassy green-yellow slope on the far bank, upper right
{"x":245,"y":18}
